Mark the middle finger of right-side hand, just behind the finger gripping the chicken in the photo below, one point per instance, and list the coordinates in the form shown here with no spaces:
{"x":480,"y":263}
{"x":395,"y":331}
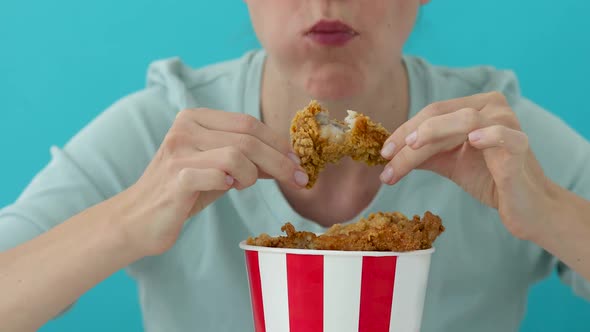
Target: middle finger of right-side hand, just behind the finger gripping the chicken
{"x":443,"y":127}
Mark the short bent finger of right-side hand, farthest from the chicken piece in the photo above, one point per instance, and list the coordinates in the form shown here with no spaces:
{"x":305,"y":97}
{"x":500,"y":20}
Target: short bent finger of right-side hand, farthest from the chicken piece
{"x":498,"y":136}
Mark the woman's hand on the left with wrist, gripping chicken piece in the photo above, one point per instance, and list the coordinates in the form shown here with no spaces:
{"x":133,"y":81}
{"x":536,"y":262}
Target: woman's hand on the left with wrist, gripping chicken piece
{"x":204,"y":154}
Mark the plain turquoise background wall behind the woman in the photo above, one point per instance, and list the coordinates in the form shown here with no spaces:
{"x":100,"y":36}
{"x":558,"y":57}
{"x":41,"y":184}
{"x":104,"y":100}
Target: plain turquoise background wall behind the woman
{"x":63,"y":61}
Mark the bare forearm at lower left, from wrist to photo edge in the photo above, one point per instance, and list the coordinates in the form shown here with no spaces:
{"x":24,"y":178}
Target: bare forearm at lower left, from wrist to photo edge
{"x":40,"y":278}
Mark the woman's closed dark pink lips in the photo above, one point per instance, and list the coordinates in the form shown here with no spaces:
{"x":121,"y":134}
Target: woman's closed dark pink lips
{"x":331,"y":33}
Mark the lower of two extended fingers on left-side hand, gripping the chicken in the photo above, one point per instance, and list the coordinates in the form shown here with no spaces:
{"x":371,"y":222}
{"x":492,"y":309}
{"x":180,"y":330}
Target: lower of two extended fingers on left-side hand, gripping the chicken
{"x":270,"y":162}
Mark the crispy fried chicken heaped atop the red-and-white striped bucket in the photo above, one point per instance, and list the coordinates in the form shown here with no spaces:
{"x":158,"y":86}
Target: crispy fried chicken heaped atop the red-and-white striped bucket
{"x":379,"y":232}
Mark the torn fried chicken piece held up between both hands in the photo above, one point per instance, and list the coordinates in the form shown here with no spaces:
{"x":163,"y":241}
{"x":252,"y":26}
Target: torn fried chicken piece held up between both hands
{"x":318,"y":140}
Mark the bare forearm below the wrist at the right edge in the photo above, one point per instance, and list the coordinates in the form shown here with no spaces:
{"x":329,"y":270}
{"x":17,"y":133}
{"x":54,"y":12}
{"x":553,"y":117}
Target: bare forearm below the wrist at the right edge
{"x":566,"y":231}
